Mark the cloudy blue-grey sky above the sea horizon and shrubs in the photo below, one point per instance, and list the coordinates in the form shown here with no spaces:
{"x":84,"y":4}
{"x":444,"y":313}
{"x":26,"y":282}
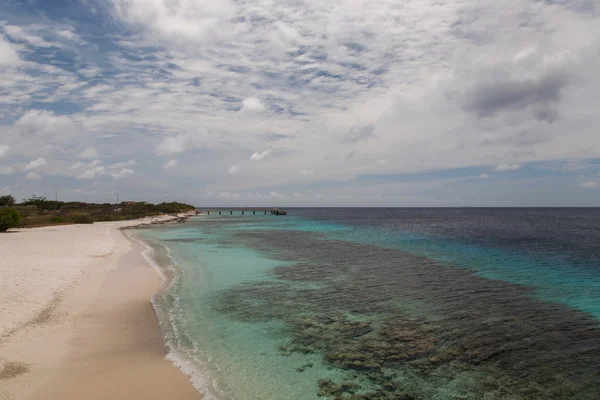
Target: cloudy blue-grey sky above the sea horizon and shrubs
{"x":302,"y":102}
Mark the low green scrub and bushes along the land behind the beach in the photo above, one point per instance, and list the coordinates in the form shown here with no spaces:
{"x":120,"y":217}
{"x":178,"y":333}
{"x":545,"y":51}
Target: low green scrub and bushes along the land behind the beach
{"x":39,"y":211}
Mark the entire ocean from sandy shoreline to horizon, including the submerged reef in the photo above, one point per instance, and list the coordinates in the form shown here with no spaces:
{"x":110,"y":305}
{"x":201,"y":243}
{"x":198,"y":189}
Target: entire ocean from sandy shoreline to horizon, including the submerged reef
{"x":371,"y":303}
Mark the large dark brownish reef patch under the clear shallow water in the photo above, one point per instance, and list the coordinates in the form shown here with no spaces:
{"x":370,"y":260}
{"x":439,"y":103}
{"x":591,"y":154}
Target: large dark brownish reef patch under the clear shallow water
{"x":405,"y":327}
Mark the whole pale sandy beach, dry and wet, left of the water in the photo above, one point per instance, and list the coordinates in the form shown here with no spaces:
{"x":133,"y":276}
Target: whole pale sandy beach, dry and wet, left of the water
{"x":76,"y":320}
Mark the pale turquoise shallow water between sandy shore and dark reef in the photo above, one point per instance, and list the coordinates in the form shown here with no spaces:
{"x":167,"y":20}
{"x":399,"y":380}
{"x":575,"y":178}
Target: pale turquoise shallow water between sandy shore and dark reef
{"x":237,"y":359}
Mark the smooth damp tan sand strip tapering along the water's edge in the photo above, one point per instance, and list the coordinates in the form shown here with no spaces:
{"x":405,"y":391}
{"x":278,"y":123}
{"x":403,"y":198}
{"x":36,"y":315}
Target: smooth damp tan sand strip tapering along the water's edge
{"x":117,"y":351}
